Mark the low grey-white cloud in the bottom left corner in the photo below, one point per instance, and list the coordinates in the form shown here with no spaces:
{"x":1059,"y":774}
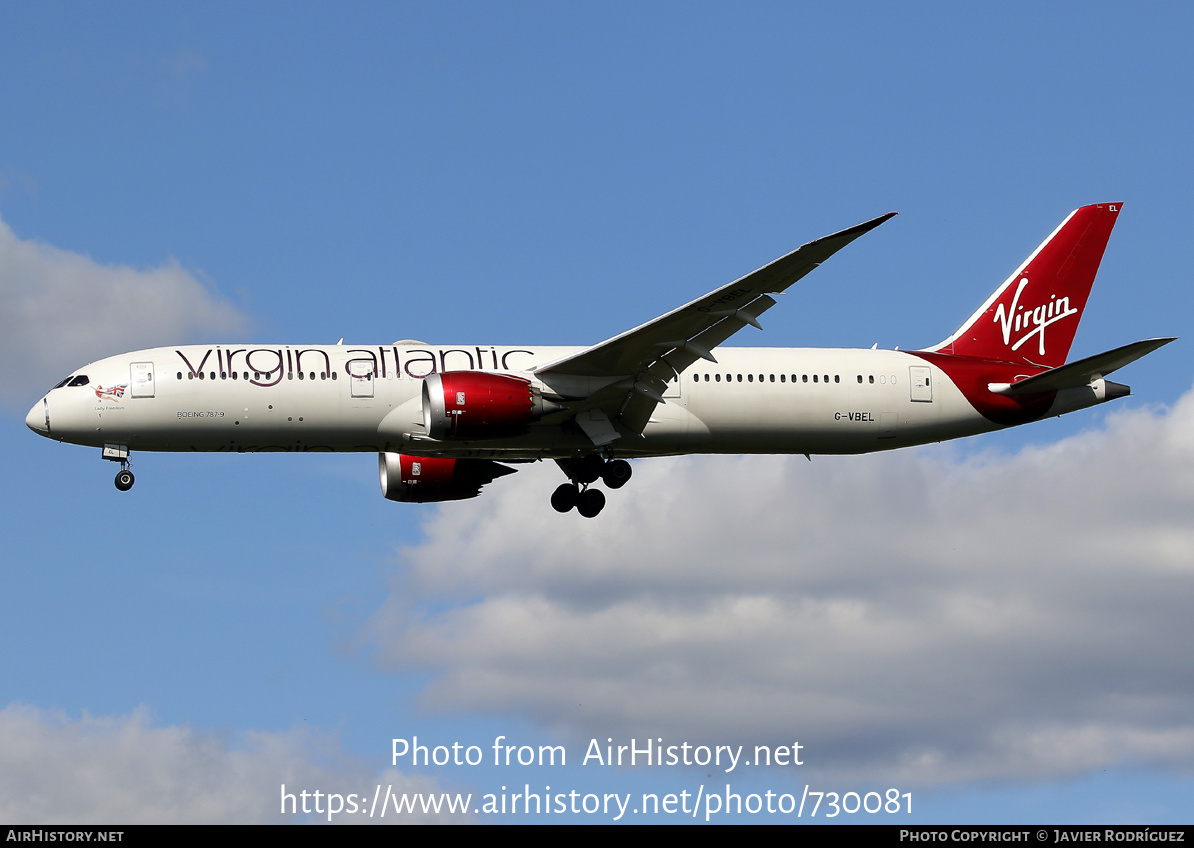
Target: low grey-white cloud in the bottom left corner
{"x":125,"y":771}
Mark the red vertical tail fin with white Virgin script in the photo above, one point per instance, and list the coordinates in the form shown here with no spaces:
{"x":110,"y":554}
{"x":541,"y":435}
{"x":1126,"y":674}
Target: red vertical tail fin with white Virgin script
{"x":1032,"y":318}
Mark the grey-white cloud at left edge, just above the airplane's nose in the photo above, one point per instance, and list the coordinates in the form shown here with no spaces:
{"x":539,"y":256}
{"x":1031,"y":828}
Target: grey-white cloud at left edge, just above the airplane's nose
{"x":61,"y":310}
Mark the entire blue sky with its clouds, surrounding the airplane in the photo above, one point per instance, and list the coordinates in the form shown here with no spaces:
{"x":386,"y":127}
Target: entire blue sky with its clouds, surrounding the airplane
{"x":556,"y":175}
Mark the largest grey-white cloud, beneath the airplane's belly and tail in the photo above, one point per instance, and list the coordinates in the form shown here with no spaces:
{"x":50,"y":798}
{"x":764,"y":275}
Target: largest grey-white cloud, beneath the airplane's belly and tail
{"x":913,"y":615}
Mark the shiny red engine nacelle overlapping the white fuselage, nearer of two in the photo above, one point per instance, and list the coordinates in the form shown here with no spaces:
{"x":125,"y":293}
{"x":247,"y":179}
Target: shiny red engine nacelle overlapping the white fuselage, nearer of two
{"x":470,"y":405}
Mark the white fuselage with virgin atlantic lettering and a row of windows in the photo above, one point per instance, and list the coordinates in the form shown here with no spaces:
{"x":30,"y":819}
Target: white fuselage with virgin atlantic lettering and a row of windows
{"x":341,"y":398}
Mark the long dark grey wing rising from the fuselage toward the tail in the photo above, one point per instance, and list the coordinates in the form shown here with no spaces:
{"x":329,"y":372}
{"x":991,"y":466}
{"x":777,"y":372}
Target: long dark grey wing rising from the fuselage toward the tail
{"x":623,"y":379}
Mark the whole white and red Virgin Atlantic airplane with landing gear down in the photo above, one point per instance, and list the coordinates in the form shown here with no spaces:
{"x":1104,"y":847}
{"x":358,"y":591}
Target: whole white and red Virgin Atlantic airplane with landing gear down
{"x":446,"y":421}
